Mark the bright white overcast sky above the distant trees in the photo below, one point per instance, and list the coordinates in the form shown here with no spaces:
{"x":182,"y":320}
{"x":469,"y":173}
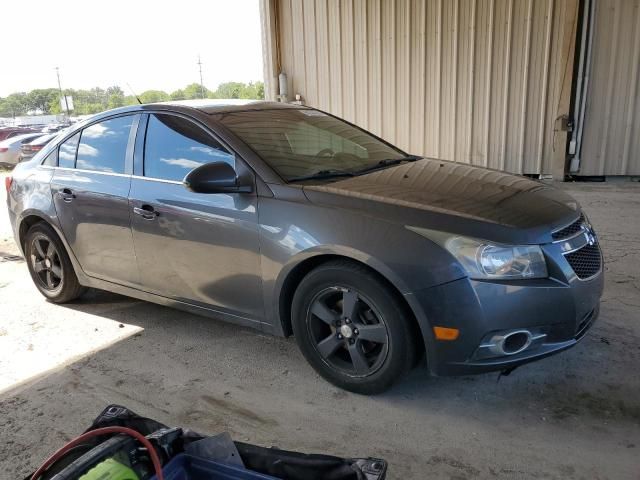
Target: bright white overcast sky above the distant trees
{"x":147,"y":44}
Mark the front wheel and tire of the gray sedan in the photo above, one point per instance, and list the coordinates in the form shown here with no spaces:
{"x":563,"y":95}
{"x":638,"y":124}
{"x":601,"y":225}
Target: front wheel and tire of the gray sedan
{"x":352,"y":329}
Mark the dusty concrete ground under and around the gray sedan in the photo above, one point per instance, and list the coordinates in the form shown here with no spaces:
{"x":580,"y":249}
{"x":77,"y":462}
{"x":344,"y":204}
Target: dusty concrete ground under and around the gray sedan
{"x":572,"y":416}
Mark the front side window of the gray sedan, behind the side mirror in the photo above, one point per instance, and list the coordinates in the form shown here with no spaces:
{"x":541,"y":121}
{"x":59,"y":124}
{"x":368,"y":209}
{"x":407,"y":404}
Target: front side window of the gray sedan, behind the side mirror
{"x":175,"y":146}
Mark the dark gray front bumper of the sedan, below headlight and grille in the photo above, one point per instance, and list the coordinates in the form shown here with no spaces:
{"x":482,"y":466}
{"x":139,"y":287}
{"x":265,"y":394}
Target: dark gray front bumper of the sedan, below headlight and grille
{"x":558,"y":313}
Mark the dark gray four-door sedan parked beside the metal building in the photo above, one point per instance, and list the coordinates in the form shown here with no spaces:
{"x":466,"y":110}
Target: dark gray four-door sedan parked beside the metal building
{"x":292,"y":221}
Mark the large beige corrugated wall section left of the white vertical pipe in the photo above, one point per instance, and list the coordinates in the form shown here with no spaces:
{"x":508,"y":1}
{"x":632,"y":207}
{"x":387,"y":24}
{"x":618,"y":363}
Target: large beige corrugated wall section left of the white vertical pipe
{"x":476,"y":81}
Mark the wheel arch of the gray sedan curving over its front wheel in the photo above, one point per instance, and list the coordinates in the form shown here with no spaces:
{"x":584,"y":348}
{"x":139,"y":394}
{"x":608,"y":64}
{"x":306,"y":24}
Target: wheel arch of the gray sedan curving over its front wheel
{"x":303,"y":268}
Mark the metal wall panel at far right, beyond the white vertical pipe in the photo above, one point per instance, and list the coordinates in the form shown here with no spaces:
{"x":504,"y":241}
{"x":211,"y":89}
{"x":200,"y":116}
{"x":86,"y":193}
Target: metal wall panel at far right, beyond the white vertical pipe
{"x":611,"y":135}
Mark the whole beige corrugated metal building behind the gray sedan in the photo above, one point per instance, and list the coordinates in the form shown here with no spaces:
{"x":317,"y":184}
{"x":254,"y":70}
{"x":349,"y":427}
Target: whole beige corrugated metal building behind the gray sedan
{"x":495,"y":83}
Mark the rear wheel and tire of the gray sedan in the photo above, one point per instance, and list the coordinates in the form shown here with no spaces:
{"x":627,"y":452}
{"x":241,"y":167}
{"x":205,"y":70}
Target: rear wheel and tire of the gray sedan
{"x":50,"y":266}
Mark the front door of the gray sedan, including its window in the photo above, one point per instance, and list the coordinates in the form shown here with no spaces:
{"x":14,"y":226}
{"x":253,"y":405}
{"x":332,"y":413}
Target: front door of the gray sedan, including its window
{"x":194,"y":247}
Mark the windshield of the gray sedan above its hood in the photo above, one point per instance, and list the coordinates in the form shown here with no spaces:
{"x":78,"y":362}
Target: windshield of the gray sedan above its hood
{"x":300,"y":143}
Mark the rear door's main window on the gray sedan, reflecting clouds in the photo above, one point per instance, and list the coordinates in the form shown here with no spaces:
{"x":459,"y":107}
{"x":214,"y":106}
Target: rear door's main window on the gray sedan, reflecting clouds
{"x":103,"y":146}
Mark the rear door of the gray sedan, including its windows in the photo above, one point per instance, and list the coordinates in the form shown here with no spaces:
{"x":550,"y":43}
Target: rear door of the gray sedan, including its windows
{"x":90,"y":188}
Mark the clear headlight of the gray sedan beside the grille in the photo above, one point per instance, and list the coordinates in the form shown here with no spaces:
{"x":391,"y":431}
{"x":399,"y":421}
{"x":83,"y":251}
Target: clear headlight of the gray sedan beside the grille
{"x":486,"y":260}
